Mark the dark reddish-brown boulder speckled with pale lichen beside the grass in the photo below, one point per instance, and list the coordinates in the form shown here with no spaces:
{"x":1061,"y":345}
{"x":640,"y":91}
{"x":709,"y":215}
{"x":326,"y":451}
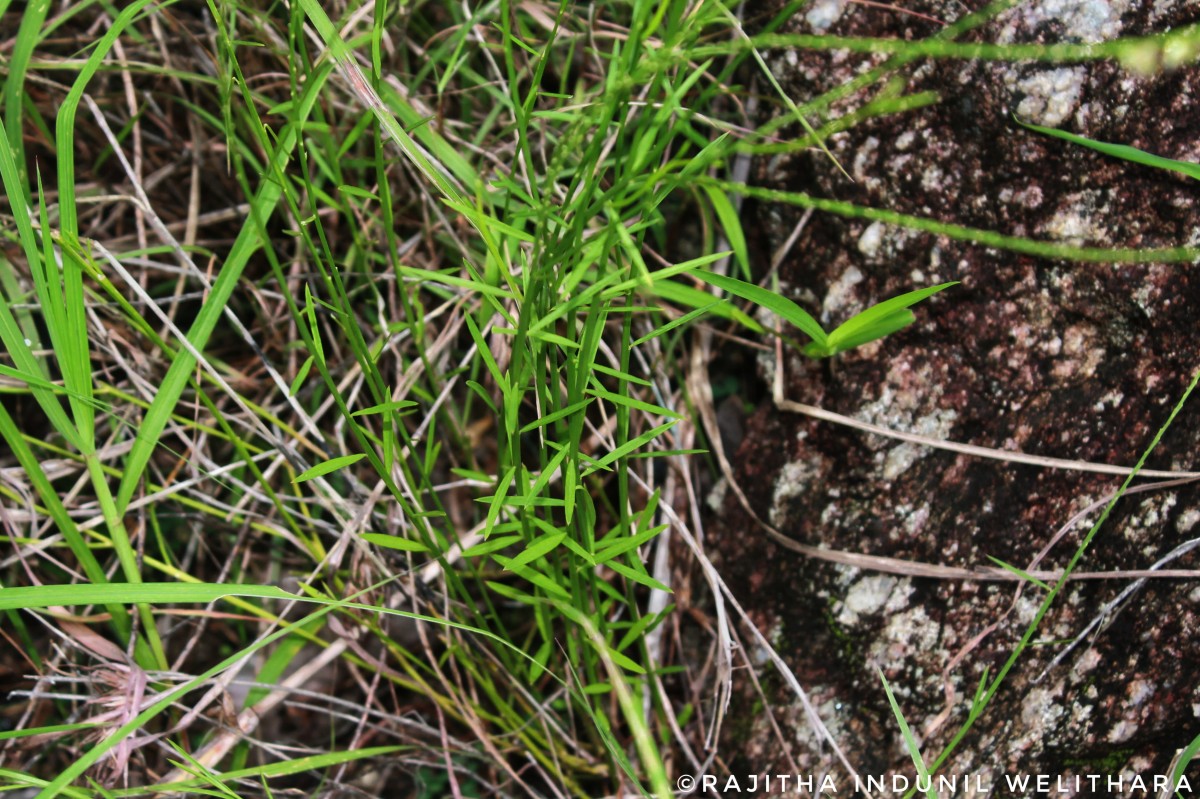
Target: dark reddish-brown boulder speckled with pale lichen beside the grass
{"x":1069,"y":361}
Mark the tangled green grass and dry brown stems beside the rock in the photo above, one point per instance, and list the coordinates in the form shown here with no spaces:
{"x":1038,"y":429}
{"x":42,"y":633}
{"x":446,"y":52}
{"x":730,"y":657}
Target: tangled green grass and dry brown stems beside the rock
{"x":365,"y":328}
